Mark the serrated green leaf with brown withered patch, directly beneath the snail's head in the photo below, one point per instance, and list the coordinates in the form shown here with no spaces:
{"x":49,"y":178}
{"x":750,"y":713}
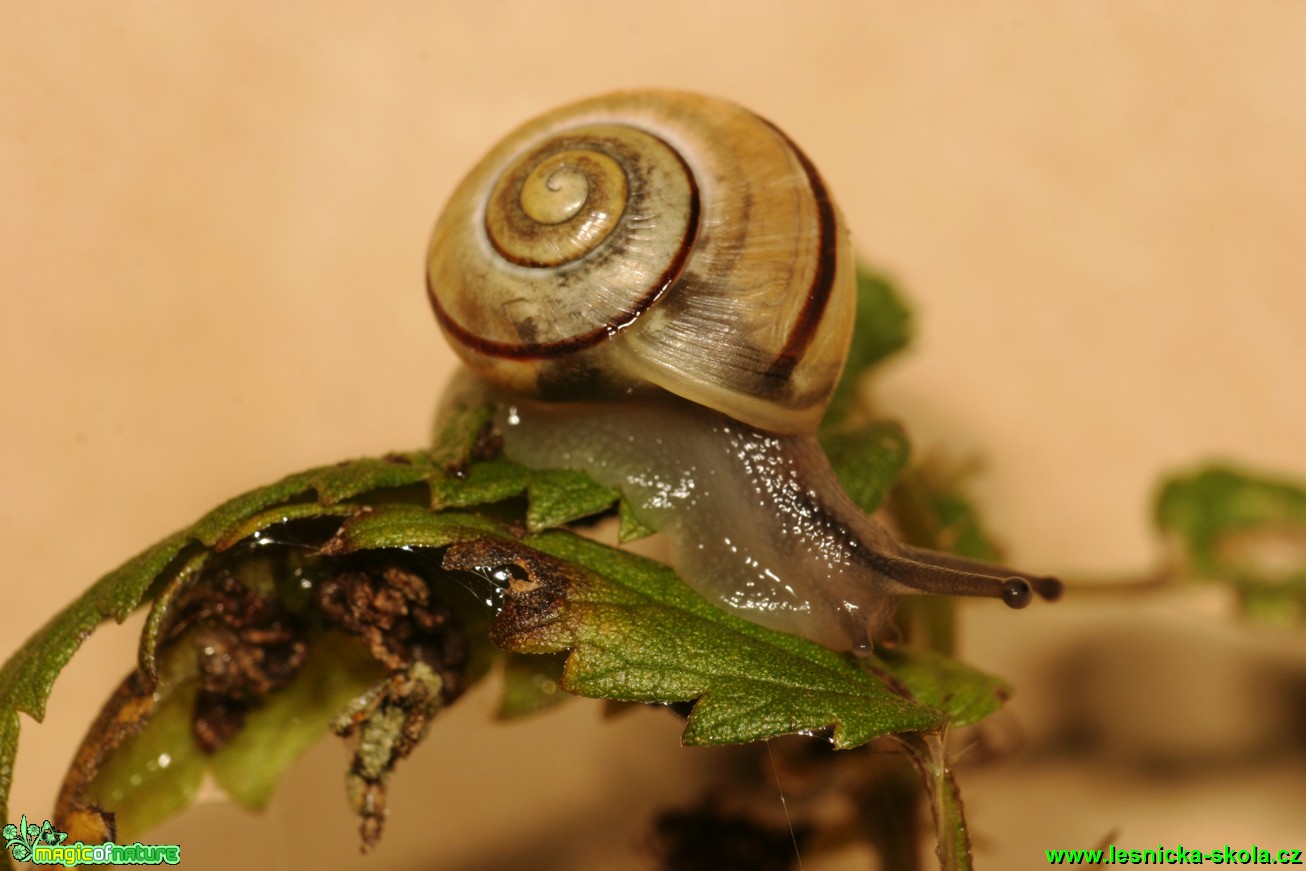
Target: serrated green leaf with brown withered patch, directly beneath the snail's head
{"x":638,"y":634}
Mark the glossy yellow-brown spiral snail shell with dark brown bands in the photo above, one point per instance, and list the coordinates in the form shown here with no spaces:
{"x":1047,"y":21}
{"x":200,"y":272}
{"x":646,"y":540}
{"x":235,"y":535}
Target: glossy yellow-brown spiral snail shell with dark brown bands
{"x":650,"y":240}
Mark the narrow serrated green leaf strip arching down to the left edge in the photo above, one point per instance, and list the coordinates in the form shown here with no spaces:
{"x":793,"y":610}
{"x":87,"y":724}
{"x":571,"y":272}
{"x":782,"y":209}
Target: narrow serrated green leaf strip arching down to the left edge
{"x":28,"y":677}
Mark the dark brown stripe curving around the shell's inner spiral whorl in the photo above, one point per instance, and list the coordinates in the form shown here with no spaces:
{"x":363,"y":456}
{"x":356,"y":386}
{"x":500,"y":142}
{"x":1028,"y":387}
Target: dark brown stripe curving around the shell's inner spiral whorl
{"x":547,"y":351}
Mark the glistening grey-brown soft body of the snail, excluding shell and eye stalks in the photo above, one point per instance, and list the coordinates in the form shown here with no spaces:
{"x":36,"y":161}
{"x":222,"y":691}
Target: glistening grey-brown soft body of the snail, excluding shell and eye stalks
{"x":754,"y":519}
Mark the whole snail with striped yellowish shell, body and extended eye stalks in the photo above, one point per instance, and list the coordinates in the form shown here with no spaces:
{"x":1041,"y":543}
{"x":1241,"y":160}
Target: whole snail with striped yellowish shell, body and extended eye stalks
{"x":658,"y":289}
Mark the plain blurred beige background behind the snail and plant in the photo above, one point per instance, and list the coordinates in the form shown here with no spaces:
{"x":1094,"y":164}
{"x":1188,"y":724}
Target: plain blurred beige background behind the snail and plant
{"x":212,"y":230}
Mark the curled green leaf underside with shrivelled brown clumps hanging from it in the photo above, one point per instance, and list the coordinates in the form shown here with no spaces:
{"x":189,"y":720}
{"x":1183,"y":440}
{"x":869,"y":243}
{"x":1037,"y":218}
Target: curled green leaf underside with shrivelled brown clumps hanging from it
{"x":245,"y":660}
